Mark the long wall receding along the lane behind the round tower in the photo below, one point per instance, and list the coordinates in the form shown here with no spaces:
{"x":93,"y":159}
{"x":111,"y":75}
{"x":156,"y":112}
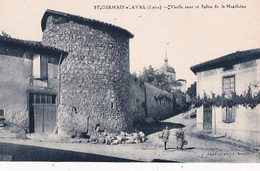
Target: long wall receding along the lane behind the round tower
{"x":148,"y":101}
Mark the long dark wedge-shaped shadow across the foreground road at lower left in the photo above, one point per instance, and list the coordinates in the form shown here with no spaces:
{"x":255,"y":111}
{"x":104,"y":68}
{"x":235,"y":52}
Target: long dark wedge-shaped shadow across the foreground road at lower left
{"x":31,"y":153}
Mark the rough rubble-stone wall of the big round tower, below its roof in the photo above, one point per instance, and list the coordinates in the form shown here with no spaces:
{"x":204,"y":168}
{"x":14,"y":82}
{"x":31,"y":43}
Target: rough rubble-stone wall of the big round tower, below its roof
{"x":94,"y":76}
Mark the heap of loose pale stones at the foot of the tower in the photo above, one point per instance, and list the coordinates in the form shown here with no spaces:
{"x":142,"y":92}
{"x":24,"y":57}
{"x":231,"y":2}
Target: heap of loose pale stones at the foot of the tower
{"x":113,"y":139}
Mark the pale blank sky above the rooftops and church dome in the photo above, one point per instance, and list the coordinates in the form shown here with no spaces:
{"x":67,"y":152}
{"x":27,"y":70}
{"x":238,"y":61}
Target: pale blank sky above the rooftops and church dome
{"x":190,"y":36}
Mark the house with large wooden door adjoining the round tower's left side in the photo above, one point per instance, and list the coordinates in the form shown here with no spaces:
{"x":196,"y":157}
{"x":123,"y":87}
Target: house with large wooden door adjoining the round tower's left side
{"x":29,"y":83}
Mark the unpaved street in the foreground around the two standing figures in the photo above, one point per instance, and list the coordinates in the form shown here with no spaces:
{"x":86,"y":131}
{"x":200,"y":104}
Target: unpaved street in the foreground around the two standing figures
{"x":200,"y":148}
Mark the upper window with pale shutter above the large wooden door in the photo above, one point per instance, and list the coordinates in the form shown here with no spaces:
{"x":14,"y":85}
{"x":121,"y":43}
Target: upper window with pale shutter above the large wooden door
{"x":40,"y":67}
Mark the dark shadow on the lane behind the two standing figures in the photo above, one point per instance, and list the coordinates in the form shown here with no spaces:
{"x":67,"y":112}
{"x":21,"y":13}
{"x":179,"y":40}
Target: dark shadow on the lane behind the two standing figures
{"x":158,"y":126}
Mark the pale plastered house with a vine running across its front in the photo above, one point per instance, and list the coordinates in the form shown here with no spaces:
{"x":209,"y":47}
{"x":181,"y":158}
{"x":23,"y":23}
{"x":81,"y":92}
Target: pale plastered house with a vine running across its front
{"x":235,"y":72}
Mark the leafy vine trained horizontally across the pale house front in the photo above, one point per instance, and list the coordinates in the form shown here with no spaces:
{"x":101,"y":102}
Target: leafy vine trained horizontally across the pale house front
{"x":247,"y":100}
